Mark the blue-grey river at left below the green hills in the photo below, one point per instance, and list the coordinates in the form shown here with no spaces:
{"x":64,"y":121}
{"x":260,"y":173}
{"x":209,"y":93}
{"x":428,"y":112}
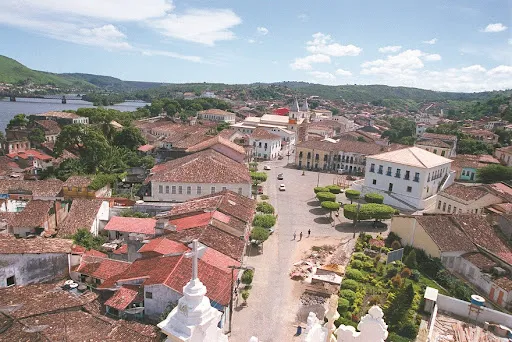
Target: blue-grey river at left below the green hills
{"x":36,"y":106}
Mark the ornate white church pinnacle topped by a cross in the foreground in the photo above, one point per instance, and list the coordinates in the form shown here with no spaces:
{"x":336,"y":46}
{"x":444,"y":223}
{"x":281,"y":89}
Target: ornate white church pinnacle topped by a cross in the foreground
{"x":193,"y":319}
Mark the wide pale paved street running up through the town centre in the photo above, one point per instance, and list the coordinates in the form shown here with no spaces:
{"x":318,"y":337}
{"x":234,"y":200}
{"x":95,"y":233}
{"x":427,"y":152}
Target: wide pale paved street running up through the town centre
{"x":271,"y":306}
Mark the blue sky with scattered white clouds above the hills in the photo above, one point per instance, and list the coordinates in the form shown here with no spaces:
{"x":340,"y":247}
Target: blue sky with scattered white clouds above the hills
{"x":440,"y":45}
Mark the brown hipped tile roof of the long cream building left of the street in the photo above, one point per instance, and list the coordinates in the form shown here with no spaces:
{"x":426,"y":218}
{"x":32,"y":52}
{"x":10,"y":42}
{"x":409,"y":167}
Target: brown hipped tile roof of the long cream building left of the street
{"x":207,"y":166}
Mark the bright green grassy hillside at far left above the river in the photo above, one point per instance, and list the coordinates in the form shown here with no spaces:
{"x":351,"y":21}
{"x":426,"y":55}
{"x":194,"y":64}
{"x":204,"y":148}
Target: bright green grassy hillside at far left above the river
{"x":14,"y":72}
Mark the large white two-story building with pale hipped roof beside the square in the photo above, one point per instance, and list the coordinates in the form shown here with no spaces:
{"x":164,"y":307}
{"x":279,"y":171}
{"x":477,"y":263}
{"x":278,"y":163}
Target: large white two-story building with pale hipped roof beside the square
{"x":409,"y":178}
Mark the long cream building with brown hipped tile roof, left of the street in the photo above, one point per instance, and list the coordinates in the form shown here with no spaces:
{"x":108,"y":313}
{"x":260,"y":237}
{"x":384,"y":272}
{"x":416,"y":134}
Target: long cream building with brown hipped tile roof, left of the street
{"x":201,"y":173}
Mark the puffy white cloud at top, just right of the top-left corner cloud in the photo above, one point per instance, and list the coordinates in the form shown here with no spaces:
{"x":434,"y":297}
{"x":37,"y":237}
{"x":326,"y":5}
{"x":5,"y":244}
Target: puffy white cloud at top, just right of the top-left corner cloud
{"x":199,"y":26}
